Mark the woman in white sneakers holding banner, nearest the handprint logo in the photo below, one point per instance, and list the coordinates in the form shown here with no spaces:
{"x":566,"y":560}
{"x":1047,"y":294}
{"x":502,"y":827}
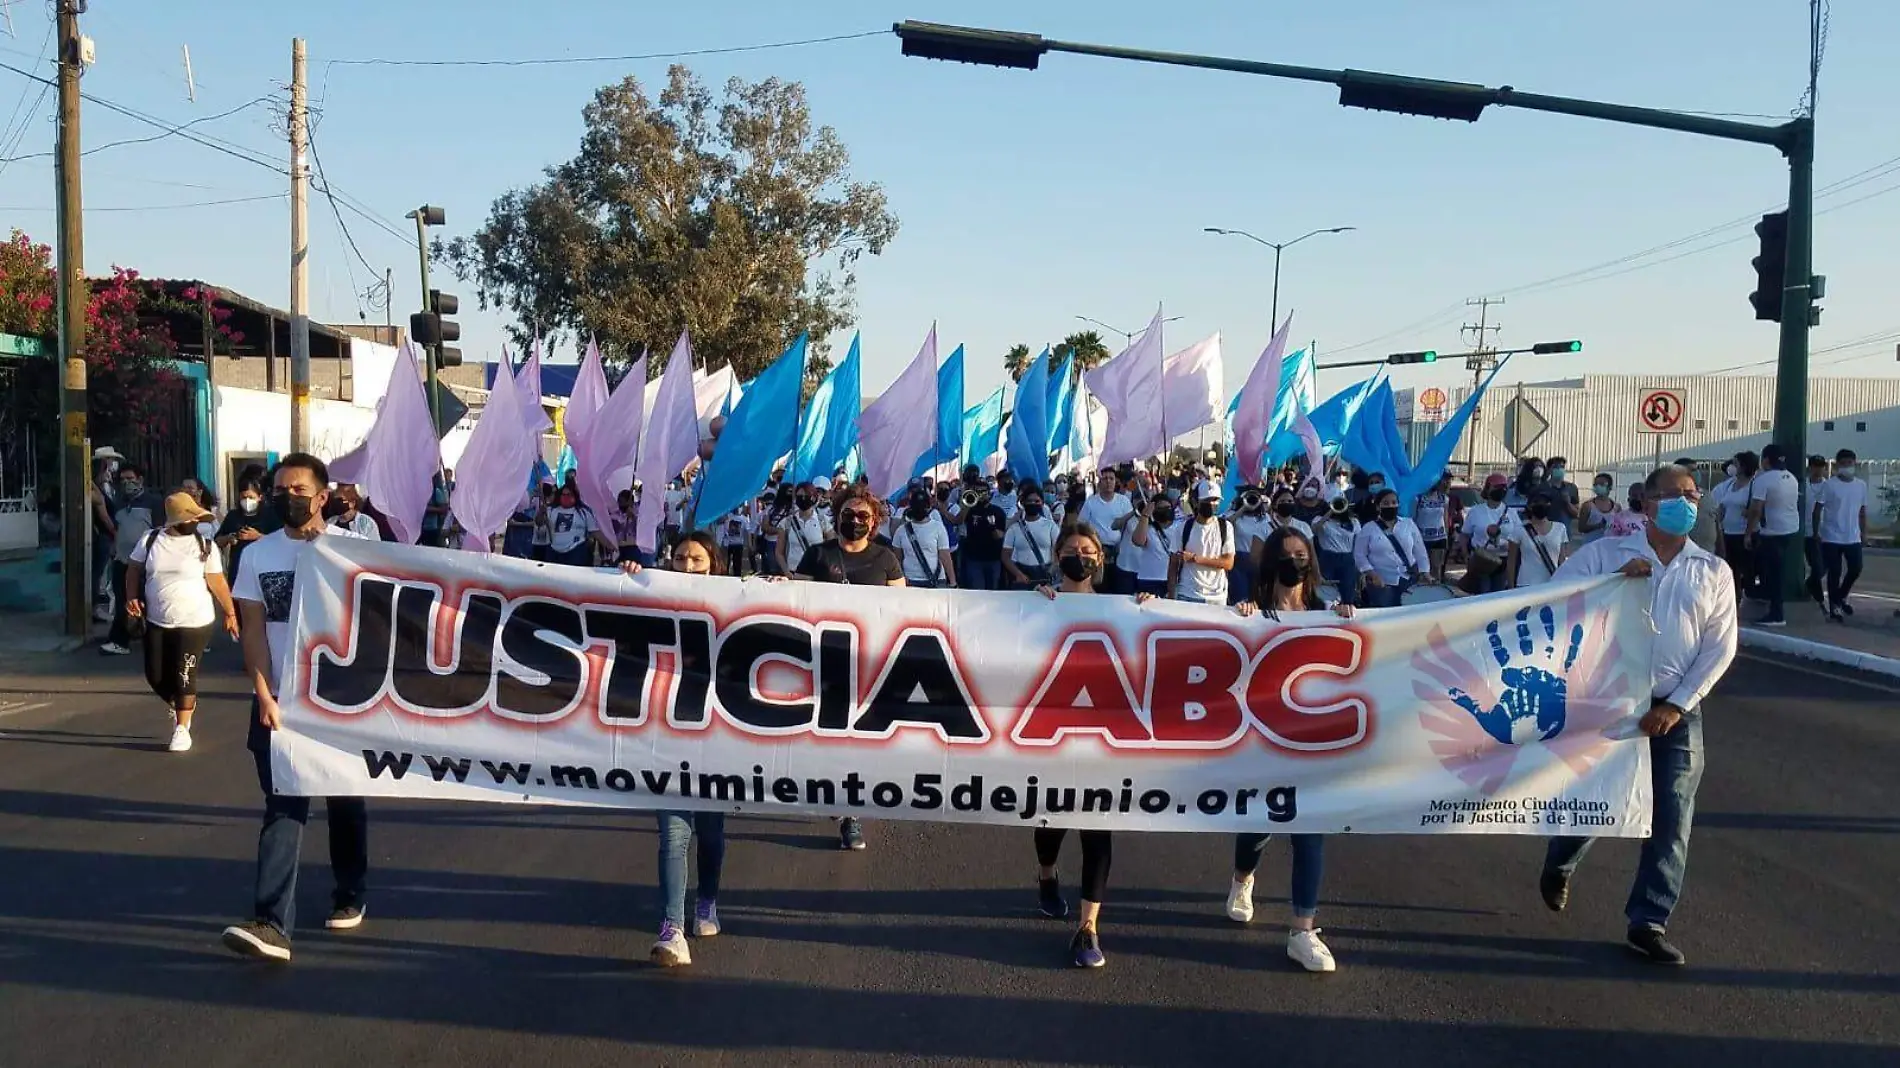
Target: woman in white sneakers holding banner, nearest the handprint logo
{"x":1293,"y":586}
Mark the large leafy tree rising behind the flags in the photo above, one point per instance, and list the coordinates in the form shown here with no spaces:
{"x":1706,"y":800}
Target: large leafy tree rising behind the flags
{"x":729,"y":218}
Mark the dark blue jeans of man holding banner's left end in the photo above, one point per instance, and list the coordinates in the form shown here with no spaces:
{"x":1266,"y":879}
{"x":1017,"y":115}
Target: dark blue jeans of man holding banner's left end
{"x":282,"y":841}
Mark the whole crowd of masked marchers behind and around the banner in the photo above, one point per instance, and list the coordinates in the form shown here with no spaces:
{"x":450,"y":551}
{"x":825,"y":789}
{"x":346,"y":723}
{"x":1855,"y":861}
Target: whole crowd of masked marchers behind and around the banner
{"x":1295,"y":544}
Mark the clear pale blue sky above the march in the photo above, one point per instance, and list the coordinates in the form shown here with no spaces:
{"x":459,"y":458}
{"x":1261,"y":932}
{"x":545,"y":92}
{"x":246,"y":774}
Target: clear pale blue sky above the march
{"x":1029,"y":199}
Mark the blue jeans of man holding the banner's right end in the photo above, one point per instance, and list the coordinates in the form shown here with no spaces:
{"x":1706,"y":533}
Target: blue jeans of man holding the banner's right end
{"x":1677,"y":771}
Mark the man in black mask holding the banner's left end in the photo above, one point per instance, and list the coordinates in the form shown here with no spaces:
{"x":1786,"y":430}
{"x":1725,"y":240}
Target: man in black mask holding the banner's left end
{"x":265,"y":590}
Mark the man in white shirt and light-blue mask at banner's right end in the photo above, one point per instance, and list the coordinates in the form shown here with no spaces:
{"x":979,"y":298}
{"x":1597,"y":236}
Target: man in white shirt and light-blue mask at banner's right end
{"x":1692,"y":607}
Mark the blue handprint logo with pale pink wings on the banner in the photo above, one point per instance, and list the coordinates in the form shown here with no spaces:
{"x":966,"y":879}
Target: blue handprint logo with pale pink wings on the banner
{"x":1553,"y":687}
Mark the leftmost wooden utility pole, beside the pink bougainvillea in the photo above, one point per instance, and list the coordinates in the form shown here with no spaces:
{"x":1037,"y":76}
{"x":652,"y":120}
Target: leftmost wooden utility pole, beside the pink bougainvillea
{"x":75,"y":476}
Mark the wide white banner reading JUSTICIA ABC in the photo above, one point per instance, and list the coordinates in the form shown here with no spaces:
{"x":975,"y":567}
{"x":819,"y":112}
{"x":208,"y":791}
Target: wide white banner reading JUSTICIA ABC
{"x":427,"y":674}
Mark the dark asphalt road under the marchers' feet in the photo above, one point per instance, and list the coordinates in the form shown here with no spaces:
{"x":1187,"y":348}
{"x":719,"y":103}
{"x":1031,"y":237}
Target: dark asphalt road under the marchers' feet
{"x":504,"y":936}
